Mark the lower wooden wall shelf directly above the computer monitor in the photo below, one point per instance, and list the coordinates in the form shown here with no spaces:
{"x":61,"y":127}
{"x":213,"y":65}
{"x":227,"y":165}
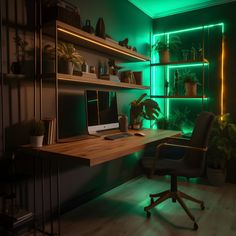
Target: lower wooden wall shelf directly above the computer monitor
{"x":99,"y":82}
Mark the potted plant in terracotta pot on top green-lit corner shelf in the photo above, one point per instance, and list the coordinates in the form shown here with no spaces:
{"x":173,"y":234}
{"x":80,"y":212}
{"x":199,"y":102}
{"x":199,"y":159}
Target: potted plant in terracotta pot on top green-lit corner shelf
{"x":164,"y":48}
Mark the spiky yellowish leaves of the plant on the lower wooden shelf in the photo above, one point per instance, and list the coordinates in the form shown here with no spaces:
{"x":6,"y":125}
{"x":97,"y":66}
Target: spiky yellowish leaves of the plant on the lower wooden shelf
{"x":68,"y":52}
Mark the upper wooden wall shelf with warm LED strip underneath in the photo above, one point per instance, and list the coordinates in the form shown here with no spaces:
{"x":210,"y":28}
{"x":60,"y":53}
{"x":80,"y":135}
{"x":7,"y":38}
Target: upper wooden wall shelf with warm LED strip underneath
{"x":77,"y":36}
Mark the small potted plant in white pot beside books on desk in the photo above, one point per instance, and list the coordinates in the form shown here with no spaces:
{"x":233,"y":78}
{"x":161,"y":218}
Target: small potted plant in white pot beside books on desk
{"x":37,"y":130}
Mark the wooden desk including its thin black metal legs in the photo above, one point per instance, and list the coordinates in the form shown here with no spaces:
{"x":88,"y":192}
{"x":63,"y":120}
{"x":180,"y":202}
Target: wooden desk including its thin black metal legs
{"x":89,"y":152}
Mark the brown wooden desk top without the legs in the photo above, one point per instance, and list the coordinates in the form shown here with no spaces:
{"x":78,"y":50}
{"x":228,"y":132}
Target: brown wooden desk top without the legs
{"x":94,"y":151}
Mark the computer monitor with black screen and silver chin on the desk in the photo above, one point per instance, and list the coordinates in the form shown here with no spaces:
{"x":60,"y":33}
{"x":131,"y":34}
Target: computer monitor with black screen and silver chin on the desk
{"x":101,"y":110}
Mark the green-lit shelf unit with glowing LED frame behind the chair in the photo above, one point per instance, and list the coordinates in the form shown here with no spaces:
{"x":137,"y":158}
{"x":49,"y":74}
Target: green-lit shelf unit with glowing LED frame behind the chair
{"x":195,"y":55}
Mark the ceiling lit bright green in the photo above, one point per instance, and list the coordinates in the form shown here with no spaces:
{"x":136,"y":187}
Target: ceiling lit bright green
{"x":161,"y":8}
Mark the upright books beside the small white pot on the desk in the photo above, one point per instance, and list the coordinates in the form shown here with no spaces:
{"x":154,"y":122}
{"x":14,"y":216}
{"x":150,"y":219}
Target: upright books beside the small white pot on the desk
{"x":50,"y":130}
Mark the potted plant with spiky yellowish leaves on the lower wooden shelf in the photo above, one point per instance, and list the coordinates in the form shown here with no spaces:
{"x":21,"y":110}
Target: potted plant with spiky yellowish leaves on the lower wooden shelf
{"x":68,"y":58}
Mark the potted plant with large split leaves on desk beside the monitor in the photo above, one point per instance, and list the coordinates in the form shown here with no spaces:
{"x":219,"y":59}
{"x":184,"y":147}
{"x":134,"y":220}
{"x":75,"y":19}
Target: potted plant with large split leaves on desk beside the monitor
{"x":147,"y":109}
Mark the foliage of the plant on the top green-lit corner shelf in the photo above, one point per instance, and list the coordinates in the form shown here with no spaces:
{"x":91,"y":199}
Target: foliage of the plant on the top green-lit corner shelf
{"x":173,"y":45}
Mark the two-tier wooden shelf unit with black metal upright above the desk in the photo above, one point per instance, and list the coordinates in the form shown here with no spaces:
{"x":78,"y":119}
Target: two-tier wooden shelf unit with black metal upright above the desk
{"x":61,"y":31}
